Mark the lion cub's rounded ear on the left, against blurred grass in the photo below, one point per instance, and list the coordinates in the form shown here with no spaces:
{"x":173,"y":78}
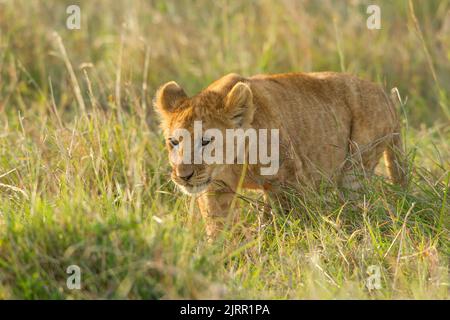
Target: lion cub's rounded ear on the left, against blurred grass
{"x":167,"y":97}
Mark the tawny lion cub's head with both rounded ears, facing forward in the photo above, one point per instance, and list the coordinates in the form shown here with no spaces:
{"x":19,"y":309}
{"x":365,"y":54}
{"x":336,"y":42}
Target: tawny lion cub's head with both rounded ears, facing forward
{"x":191,"y":126}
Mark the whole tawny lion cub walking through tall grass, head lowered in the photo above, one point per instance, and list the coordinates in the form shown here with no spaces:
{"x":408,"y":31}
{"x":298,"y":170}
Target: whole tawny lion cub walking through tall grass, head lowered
{"x":322,"y":125}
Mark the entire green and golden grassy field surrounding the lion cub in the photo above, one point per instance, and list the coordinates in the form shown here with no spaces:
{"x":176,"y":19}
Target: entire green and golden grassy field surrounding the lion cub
{"x":84,"y":177}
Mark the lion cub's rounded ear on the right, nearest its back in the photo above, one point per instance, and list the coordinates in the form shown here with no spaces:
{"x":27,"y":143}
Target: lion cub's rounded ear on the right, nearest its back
{"x":239,"y":105}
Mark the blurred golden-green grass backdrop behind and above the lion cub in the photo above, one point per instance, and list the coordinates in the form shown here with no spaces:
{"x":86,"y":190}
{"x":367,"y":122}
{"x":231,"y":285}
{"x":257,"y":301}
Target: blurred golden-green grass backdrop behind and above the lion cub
{"x":195,"y":42}
